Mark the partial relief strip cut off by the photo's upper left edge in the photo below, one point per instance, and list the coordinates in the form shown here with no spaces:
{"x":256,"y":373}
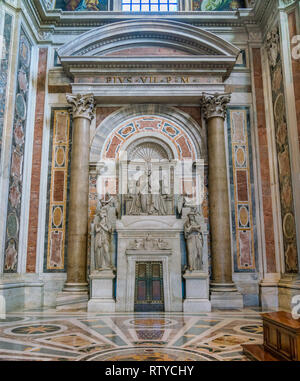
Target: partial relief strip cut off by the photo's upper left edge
{"x":4,"y":66}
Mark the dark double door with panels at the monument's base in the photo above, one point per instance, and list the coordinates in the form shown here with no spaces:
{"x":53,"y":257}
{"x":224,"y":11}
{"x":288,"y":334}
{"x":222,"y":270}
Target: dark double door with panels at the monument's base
{"x":149,"y":295}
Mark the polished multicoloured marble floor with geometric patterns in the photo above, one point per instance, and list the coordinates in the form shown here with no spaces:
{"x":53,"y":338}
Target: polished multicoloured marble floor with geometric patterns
{"x":49,"y":335}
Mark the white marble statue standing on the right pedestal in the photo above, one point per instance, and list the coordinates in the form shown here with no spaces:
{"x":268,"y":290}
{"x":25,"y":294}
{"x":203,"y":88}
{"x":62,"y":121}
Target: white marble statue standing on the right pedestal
{"x":194,"y":242}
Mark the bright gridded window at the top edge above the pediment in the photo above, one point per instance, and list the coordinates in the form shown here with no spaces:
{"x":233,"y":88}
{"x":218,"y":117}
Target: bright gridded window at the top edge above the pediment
{"x":150,"y":5}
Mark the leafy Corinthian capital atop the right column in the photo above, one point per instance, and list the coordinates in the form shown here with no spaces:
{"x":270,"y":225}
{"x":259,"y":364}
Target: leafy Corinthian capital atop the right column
{"x":214,"y":105}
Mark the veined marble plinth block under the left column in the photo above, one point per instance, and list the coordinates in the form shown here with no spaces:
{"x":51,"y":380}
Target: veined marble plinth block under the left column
{"x":71,"y":301}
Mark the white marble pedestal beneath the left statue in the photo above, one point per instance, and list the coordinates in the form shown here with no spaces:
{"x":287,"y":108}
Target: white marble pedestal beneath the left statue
{"x":101,"y":292}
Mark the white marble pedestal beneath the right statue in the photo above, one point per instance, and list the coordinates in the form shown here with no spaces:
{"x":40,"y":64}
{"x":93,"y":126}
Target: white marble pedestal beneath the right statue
{"x":197,"y":292}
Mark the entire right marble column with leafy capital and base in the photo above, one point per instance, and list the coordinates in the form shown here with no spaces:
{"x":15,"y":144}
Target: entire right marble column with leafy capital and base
{"x":223,"y":290}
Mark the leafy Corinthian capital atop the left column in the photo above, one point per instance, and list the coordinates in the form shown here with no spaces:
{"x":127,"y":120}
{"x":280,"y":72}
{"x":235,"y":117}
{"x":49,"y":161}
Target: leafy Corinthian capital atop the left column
{"x":83,"y":106}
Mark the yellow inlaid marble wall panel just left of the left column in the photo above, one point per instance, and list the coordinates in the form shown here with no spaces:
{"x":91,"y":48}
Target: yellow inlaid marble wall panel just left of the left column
{"x":58,"y":181}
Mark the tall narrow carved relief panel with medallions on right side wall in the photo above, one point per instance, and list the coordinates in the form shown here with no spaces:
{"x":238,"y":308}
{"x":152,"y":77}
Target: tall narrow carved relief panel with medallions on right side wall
{"x":283,"y":155}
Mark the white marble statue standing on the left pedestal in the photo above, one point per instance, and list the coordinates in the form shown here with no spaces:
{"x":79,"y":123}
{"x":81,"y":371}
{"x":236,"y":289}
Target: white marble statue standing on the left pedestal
{"x":102,"y":242}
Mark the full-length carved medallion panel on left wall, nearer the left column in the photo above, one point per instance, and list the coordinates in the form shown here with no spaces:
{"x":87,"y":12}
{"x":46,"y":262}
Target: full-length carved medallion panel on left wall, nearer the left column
{"x":17,"y":156}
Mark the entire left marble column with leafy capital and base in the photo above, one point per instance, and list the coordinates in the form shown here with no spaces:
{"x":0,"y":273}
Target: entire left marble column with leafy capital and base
{"x":75,"y":291}
